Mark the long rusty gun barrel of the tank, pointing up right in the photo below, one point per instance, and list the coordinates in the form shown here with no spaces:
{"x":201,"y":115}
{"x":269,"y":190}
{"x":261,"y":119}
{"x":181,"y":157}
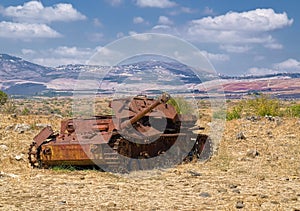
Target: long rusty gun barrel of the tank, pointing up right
{"x":164,"y":98}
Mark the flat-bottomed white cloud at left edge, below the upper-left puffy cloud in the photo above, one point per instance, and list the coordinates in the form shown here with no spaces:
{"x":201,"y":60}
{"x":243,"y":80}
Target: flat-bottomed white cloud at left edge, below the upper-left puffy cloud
{"x":26,"y":30}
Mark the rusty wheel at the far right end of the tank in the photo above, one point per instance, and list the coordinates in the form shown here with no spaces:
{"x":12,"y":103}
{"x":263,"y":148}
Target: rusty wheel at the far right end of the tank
{"x":205,"y":148}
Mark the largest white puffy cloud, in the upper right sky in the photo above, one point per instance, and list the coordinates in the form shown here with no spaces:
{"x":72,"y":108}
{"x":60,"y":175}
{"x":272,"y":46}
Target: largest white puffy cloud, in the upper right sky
{"x":233,"y":27}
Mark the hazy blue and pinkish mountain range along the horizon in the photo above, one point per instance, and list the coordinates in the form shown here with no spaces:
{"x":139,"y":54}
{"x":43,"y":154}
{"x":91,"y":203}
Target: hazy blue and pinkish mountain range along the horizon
{"x":19,"y":77}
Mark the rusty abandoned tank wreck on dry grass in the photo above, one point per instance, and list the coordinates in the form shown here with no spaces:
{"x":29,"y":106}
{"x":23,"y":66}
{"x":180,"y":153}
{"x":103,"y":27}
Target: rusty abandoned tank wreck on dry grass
{"x":143,"y":133}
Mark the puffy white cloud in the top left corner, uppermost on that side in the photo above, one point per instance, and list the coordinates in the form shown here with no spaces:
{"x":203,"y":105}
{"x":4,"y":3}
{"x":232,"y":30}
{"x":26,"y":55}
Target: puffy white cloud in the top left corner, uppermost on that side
{"x":35,"y":12}
